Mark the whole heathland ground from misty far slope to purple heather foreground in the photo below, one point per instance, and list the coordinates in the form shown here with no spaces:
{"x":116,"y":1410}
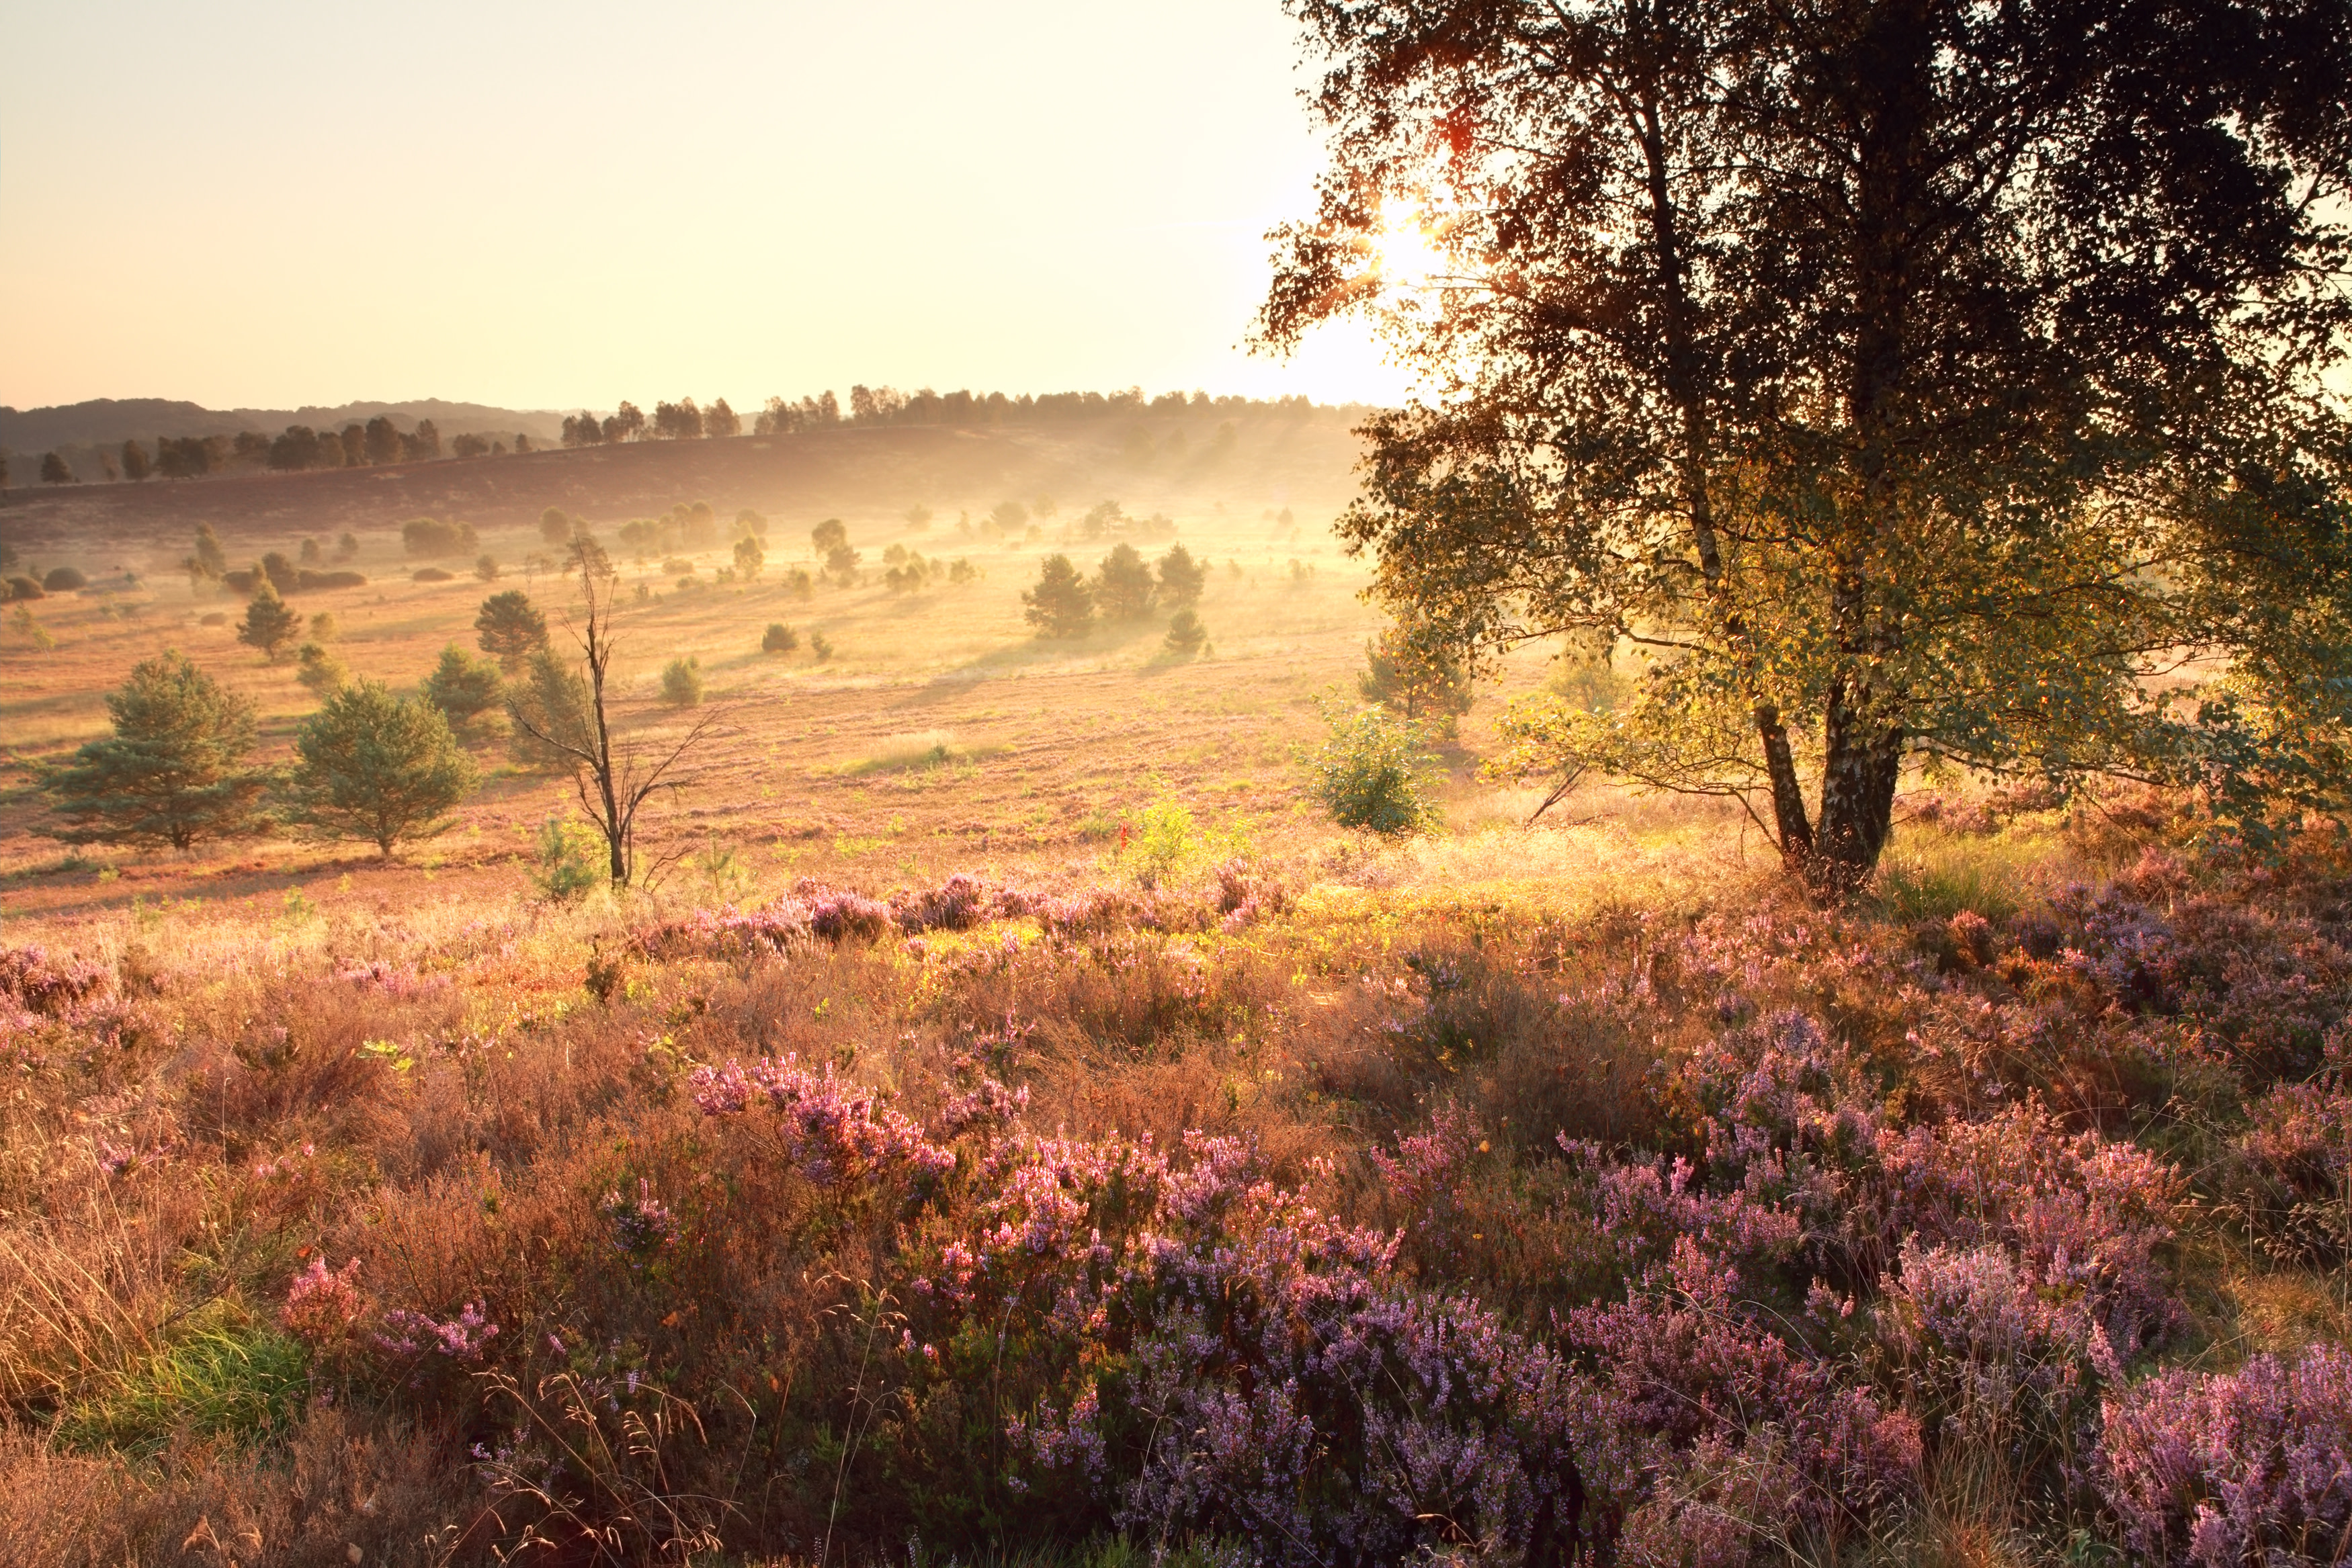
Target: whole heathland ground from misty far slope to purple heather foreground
{"x":1017,"y":1127}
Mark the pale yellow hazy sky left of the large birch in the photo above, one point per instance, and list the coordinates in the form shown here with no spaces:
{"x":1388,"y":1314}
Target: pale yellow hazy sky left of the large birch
{"x":573,"y":203}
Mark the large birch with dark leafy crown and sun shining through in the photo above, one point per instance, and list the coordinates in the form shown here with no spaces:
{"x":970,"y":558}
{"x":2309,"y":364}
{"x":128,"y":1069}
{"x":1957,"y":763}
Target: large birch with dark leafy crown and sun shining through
{"x":1904,"y":377}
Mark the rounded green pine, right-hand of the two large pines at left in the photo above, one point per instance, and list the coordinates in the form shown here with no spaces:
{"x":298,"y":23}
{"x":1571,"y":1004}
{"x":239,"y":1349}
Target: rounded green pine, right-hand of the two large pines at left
{"x":377,"y":768}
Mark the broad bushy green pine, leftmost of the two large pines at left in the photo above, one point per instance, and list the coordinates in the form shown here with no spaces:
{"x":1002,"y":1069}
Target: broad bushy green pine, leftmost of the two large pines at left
{"x":173,"y":772}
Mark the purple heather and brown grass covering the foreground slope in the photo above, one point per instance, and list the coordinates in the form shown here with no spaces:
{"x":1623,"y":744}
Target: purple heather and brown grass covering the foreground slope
{"x":1283,"y":1212}
